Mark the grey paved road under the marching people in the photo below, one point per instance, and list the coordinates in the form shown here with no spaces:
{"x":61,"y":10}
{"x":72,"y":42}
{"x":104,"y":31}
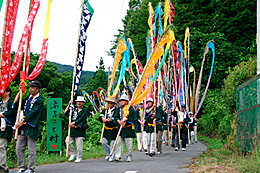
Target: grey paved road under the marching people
{"x":167,"y":162}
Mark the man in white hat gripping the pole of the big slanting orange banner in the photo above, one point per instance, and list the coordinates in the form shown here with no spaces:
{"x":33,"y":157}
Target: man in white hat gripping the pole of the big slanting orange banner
{"x":128,"y":131}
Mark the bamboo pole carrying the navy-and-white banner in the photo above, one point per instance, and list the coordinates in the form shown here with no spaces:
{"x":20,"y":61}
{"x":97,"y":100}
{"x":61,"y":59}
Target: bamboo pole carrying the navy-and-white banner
{"x":72,"y":88}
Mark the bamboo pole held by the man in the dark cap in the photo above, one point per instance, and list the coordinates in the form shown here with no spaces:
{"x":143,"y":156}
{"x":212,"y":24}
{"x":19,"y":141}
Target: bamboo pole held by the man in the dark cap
{"x":20,"y":90}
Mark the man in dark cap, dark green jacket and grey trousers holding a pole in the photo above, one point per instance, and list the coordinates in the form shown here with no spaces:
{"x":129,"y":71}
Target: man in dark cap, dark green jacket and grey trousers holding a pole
{"x":29,"y":126}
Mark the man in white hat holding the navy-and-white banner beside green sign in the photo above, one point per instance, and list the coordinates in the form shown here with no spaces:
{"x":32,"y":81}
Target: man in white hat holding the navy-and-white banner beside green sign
{"x":78,"y":128}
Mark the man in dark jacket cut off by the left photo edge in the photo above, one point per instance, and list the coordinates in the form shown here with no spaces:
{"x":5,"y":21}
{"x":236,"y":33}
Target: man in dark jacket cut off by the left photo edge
{"x":7,"y":121}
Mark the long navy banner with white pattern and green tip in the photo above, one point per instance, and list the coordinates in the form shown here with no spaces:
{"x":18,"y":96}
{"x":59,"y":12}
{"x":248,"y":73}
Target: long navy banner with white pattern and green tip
{"x":85,"y":20}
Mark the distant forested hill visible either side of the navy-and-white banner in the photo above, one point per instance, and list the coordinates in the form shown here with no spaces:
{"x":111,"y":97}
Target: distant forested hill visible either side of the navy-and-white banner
{"x":85,"y":77}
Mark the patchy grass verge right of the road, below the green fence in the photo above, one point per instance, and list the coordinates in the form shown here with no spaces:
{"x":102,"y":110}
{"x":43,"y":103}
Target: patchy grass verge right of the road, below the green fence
{"x":218,"y":158}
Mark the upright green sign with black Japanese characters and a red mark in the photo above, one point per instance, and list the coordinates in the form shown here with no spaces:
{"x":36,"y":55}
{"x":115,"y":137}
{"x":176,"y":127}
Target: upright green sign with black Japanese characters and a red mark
{"x":54,"y":124}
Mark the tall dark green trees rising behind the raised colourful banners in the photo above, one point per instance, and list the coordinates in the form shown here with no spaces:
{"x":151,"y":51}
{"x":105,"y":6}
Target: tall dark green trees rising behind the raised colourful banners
{"x":230,"y":24}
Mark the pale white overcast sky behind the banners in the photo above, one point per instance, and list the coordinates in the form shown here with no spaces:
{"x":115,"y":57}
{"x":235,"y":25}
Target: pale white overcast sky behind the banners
{"x":64,"y":23}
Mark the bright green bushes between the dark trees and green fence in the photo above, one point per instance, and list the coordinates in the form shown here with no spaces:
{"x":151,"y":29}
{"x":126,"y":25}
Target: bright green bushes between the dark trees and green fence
{"x":219,"y":105}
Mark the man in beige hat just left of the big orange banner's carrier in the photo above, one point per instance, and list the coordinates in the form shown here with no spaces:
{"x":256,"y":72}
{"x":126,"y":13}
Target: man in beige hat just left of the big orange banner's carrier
{"x":110,"y":128}
